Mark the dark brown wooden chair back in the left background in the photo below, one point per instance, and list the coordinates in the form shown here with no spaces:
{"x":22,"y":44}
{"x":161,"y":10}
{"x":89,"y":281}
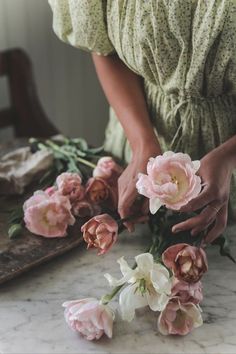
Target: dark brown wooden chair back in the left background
{"x":25,"y":113}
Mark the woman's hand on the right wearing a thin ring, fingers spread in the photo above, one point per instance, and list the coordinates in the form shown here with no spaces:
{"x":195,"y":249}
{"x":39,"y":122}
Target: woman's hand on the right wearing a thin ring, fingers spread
{"x":216,"y":172}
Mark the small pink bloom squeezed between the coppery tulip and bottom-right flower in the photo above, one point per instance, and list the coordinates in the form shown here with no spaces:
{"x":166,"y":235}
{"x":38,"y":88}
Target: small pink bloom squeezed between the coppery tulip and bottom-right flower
{"x":187,"y":292}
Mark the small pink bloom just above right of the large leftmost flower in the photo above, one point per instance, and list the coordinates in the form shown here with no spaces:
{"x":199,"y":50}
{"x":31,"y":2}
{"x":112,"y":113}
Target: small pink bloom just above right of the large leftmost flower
{"x":70,"y":185}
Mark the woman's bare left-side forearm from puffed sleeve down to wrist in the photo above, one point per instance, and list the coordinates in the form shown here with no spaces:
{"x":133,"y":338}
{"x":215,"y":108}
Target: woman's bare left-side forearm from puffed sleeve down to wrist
{"x":124,"y":91}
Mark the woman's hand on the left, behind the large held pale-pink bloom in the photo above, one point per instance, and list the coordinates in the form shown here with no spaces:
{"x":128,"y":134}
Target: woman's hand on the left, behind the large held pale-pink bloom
{"x":128,"y":203}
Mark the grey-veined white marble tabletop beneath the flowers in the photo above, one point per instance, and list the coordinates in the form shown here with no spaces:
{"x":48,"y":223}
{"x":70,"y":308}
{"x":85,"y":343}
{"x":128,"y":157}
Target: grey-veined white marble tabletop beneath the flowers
{"x":32,"y":322}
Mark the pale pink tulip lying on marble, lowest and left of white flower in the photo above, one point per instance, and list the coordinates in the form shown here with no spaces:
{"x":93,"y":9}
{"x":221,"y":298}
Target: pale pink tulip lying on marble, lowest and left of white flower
{"x":89,"y":317}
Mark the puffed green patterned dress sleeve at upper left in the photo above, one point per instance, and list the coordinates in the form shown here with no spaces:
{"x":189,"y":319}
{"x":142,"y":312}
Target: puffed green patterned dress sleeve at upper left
{"x":83,"y":24}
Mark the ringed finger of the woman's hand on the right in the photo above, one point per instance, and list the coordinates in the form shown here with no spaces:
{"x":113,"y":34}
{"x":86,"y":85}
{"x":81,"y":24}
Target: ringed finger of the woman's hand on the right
{"x":202,"y":220}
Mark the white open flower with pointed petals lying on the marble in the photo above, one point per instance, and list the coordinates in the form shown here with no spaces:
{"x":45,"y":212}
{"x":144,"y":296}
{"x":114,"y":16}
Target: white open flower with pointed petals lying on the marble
{"x":148,"y":284}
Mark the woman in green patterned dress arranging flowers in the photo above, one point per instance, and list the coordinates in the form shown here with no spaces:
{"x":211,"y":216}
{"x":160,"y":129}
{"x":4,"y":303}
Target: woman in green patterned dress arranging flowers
{"x":170,"y":65}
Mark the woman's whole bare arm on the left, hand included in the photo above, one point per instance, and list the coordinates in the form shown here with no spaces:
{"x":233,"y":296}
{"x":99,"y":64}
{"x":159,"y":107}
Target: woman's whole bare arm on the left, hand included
{"x":124,"y":91}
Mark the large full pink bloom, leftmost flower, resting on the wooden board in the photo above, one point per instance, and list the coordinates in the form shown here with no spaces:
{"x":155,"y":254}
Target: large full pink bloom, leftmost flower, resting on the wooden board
{"x":46,"y":215}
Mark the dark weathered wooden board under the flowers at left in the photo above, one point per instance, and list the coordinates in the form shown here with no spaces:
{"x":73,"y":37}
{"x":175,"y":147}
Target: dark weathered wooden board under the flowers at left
{"x":27,"y":251}
